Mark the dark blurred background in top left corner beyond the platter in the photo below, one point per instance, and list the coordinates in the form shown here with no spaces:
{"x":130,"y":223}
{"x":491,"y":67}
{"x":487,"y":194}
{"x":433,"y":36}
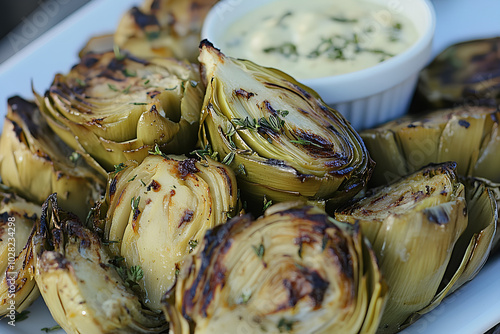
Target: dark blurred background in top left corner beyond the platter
{"x":22,"y":21}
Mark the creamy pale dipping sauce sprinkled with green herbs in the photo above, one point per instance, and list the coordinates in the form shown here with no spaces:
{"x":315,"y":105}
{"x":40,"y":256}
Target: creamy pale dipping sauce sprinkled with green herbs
{"x":317,"y":38}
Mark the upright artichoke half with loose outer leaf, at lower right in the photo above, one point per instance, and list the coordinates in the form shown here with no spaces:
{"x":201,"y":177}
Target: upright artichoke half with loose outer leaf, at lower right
{"x":426,"y":247}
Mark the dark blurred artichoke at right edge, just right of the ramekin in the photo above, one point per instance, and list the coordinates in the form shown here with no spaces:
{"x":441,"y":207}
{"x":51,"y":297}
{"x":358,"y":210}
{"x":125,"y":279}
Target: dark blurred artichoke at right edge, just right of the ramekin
{"x":463,"y":74}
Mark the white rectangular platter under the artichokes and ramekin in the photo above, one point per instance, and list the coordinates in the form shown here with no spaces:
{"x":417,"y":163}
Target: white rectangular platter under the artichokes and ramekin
{"x":474,"y":308}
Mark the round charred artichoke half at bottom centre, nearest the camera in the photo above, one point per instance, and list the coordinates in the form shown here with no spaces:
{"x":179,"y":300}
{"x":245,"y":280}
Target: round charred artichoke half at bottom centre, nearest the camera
{"x":293,"y":270}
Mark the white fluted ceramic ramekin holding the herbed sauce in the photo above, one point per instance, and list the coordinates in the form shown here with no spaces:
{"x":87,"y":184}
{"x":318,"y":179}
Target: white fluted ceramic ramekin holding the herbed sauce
{"x":367,"y":97}
